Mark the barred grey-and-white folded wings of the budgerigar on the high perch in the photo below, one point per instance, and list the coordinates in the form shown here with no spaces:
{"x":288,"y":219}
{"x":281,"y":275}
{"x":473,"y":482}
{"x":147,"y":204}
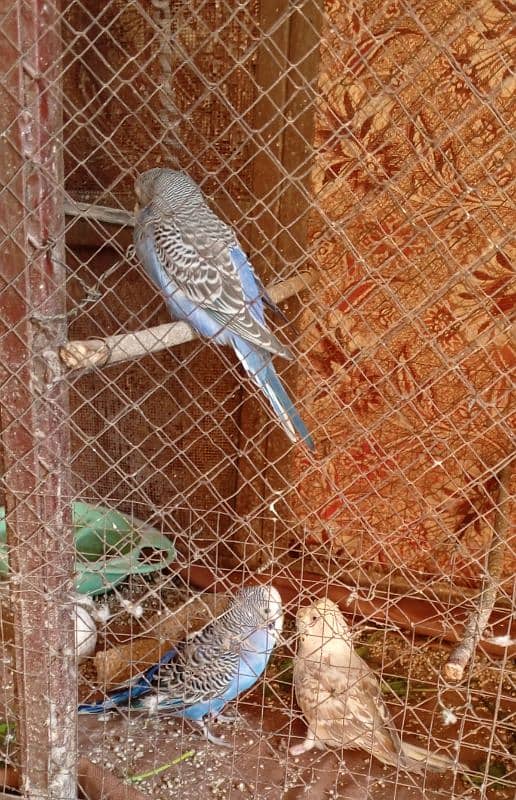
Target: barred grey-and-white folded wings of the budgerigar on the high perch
{"x":213,"y":274}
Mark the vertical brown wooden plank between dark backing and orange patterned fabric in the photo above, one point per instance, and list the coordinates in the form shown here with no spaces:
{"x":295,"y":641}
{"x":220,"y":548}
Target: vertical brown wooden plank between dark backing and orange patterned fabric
{"x":287,"y":74}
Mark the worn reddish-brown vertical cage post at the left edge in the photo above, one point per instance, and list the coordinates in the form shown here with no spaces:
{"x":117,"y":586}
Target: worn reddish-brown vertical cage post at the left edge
{"x":34,"y":400}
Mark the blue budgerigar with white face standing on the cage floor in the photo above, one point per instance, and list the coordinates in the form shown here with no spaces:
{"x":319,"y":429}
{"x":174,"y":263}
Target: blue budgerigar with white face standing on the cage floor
{"x":212,"y":666}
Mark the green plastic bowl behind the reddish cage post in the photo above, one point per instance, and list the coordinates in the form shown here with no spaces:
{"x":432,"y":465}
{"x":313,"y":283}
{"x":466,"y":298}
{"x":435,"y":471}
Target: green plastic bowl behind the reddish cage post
{"x":109,"y":547}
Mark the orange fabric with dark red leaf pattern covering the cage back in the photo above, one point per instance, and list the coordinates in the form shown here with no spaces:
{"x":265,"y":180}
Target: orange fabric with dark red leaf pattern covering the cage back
{"x":409,"y":346}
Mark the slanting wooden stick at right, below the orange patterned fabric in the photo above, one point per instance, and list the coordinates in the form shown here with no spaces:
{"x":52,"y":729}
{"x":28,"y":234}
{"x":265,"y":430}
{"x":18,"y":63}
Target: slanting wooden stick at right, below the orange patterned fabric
{"x":477,"y":622}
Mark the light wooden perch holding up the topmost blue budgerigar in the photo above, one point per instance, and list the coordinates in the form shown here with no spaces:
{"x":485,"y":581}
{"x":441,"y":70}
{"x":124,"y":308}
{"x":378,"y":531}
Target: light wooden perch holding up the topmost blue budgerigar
{"x":126,"y":346}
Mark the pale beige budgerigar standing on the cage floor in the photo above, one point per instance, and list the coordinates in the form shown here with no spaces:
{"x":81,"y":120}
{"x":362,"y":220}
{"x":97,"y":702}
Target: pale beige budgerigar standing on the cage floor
{"x":340,"y":696}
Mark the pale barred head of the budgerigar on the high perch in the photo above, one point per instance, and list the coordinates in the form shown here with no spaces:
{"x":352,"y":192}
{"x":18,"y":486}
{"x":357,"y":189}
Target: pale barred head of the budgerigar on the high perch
{"x":167,"y":190}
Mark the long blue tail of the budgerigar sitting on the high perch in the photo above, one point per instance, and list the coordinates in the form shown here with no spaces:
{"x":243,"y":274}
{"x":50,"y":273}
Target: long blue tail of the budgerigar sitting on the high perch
{"x":258,"y":364}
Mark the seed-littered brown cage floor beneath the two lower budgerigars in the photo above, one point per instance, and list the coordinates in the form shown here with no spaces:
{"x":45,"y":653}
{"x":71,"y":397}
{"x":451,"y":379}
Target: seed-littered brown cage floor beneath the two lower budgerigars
{"x":171,"y":760}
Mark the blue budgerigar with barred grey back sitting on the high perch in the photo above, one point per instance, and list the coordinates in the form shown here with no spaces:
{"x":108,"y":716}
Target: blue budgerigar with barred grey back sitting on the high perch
{"x":195,"y":259}
